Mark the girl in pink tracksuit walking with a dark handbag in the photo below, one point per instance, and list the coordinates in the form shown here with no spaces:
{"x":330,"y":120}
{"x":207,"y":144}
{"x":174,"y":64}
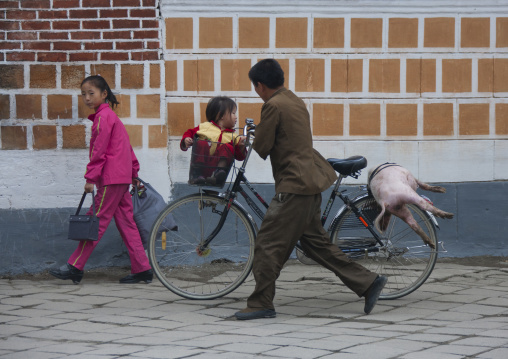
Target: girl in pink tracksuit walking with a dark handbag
{"x":112,"y":168}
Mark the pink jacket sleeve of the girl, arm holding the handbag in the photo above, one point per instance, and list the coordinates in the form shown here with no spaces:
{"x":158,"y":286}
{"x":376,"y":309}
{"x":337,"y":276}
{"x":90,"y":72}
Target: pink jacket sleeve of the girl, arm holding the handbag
{"x":99,"y":147}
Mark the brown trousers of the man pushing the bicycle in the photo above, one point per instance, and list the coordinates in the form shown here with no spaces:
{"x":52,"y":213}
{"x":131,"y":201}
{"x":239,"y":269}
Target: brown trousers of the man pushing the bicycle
{"x":291,"y":217}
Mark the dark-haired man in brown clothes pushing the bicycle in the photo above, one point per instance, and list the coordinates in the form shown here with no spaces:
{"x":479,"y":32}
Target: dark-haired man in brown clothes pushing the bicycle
{"x":300,"y":174}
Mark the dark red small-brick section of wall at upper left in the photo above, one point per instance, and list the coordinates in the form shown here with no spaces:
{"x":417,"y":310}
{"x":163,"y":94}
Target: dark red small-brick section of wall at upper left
{"x":79,"y":30}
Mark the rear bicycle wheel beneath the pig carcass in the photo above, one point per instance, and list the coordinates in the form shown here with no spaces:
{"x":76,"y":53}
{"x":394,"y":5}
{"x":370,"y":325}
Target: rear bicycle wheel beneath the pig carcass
{"x":404,"y":258}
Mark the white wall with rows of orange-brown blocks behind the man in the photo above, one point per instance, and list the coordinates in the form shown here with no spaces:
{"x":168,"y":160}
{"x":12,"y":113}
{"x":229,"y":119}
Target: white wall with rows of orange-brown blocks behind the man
{"x":425,"y":88}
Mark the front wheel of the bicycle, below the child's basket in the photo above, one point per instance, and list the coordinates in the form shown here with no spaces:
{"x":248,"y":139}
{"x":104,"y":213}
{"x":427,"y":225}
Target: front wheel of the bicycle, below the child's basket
{"x":179,"y":259}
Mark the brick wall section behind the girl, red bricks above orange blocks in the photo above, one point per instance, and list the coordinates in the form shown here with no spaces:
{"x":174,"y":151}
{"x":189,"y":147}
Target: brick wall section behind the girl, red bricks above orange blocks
{"x":49,"y":47}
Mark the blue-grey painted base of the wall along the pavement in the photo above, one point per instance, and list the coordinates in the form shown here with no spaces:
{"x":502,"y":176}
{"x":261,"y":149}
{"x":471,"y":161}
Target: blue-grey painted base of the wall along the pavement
{"x":34,"y":240}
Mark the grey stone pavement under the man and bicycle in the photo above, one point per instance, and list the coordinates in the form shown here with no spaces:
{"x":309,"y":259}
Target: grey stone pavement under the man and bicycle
{"x":460,"y":312}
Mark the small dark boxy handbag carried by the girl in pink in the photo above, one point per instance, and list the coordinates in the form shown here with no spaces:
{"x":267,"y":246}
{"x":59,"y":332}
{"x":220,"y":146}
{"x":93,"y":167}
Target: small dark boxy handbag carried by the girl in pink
{"x":84,"y":227}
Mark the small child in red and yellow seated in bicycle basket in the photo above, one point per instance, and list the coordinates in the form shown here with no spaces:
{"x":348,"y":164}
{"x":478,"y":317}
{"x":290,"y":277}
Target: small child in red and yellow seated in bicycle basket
{"x":210,"y":157}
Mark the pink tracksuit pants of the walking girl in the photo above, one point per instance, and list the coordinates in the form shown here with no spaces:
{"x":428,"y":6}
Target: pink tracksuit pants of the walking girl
{"x":114,"y":201}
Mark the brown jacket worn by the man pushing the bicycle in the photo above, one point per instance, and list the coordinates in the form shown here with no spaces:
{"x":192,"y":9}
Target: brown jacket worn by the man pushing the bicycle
{"x":284,"y":135}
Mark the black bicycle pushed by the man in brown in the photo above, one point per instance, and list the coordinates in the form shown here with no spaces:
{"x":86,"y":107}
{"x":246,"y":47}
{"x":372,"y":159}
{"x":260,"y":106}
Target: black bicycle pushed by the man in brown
{"x":211,"y":253}
